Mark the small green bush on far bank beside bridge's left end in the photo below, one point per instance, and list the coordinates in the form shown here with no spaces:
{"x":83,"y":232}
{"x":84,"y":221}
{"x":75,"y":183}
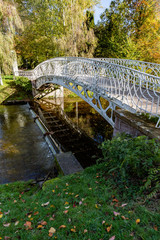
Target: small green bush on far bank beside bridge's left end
{"x":24,"y":83}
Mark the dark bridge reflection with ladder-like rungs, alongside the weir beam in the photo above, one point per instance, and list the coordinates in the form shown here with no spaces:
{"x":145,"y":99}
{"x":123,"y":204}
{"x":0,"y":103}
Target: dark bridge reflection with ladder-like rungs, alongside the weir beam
{"x":68,"y":136}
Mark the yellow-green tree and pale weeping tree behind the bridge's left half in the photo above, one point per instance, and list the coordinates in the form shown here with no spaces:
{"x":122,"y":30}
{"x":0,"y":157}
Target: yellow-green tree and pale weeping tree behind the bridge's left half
{"x":55,"y":28}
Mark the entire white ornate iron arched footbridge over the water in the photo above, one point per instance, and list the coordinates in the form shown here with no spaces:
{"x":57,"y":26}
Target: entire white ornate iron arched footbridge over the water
{"x":106,"y":84}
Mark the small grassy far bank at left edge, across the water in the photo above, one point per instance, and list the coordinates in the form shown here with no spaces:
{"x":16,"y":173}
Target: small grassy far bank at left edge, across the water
{"x":9,"y":91}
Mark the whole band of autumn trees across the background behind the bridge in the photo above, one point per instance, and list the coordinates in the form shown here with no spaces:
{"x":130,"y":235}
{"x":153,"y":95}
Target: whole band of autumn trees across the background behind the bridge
{"x":53,"y":28}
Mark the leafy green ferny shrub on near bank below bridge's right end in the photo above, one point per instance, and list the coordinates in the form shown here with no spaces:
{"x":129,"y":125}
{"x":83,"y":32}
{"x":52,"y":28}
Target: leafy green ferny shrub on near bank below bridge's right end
{"x":134,"y":163}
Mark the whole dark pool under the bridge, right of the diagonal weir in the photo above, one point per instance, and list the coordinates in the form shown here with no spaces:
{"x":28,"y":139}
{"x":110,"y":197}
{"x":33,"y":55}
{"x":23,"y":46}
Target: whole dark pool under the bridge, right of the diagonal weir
{"x":77,"y":128}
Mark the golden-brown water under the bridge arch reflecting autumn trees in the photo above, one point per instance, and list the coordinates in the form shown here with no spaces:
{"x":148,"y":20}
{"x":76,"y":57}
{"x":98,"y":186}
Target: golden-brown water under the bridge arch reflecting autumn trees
{"x":82,"y":115}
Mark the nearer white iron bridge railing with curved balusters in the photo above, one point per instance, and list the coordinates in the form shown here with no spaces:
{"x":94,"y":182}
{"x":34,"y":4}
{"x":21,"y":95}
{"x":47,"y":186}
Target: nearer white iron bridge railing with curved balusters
{"x":128,"y":88}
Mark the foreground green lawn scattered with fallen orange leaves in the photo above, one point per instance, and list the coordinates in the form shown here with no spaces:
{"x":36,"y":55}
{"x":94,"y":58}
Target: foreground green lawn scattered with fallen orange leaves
{"x":84,"y":203}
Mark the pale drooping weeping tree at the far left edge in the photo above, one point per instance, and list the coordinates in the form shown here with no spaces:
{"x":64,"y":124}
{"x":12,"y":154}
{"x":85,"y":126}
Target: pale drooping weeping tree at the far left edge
{"x":10,"y":23}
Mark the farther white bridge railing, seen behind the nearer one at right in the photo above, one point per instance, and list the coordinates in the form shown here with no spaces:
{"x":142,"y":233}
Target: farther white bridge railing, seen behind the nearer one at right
{"x":147,"y":67}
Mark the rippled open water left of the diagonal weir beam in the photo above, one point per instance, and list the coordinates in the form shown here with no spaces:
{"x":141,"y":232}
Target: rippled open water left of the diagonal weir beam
{"x":24,"y":154}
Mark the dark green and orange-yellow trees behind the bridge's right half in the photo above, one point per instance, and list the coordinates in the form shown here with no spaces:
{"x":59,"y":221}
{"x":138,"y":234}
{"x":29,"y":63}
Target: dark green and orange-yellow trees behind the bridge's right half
{"x":130,"y":29}
